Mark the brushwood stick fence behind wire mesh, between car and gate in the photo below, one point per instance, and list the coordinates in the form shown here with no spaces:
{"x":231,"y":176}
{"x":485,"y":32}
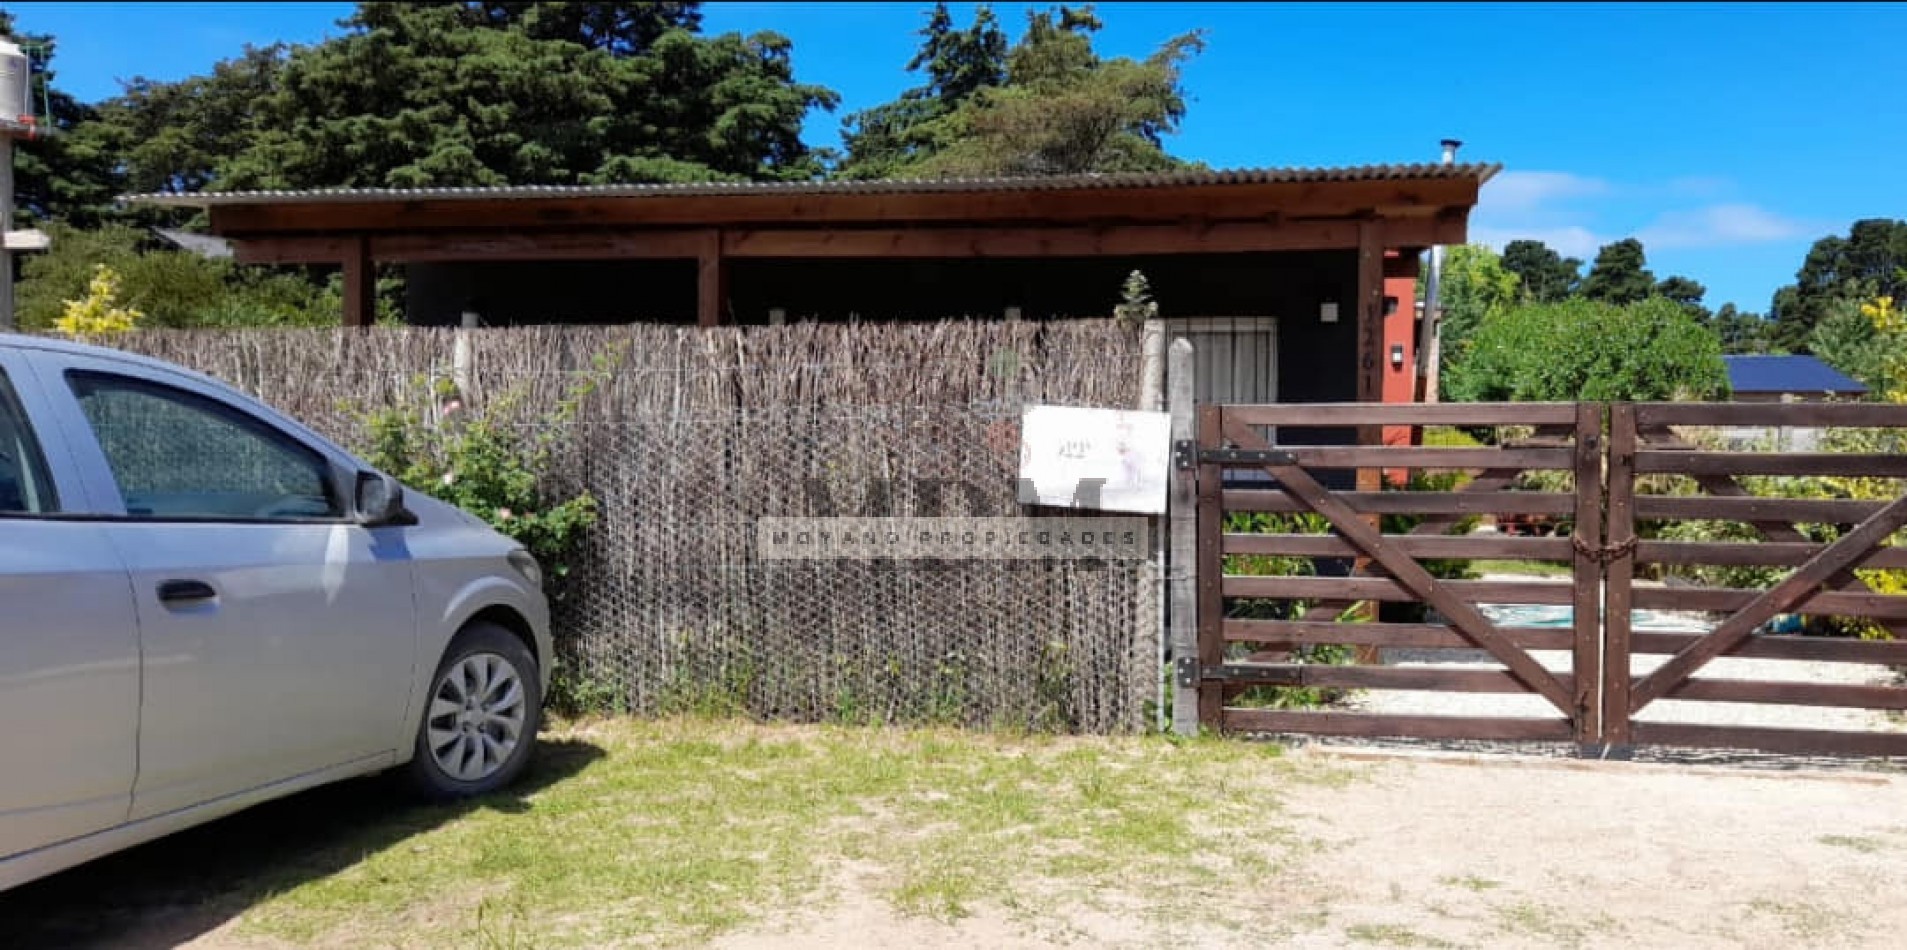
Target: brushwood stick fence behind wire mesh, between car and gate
{"x":693,"y":436}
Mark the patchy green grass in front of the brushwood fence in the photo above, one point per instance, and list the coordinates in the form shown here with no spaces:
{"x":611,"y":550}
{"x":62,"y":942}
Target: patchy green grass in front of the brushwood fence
{"x":670,"y":833}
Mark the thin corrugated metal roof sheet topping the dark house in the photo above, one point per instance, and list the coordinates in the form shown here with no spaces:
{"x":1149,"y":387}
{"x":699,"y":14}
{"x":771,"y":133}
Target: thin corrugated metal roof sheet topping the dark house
{"x":1126,"y":180}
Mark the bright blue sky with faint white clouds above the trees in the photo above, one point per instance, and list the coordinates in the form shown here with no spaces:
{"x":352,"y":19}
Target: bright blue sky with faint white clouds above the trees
{"x":1727,"y":138}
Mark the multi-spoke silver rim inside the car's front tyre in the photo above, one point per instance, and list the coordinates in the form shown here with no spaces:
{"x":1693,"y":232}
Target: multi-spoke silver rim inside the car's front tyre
{"x":478,"y":714}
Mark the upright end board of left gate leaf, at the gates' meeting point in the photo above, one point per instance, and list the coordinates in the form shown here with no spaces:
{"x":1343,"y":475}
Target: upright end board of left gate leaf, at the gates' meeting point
{"x":1586,"y":665}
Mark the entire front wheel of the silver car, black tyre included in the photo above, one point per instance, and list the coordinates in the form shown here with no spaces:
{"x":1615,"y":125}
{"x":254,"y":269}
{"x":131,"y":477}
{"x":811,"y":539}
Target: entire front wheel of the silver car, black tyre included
{"x":480,"y":716}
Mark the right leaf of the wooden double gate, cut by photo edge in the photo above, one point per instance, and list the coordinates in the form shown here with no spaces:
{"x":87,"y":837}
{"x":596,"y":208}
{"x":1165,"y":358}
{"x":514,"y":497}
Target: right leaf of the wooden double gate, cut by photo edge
{"x":1813,"y":577}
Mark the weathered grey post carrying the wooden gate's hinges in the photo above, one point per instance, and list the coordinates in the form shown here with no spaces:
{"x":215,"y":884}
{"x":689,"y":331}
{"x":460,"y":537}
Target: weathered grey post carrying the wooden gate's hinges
{"x":1183,"y":566}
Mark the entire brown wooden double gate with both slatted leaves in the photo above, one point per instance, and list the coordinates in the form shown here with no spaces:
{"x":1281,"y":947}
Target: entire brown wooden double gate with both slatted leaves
{"x":1315,"y":556}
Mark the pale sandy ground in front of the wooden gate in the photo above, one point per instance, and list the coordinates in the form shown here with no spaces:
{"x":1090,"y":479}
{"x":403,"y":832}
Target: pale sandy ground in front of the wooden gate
{"x":1502,"y":852}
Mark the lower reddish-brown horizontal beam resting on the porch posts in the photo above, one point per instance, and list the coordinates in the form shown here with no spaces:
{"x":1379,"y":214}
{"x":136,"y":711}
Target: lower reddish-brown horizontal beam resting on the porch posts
{"x":817,"y":243}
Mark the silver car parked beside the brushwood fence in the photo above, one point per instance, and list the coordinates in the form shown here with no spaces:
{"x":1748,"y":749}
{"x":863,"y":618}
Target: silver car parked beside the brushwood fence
{"x":207,"y":606}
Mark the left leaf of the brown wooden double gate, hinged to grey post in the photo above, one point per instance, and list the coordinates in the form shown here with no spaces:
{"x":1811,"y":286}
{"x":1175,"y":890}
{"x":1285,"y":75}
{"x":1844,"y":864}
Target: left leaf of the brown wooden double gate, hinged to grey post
{"x":1340,"y":556}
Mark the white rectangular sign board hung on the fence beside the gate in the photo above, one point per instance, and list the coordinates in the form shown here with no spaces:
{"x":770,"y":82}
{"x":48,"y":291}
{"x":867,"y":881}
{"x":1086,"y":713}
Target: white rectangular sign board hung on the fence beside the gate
{"x":1103,"y":459}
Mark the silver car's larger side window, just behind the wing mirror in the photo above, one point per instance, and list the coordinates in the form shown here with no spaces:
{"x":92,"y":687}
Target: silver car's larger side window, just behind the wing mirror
{"x":178,"y":455}
